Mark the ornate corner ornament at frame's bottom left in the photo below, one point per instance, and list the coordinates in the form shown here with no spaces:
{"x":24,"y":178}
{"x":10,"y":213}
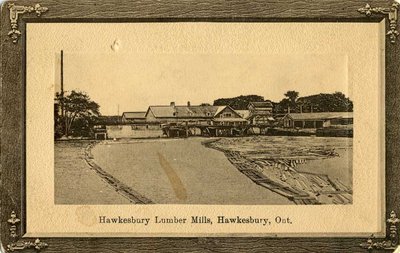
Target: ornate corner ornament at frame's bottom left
{"x":20,"y":245}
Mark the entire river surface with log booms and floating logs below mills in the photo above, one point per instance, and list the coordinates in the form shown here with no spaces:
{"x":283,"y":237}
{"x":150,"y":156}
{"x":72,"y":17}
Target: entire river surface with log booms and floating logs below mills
{"x":185,"y":171}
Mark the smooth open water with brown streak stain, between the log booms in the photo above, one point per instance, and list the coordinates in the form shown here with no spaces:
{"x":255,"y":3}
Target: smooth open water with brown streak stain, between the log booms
{"x":180,"y":171}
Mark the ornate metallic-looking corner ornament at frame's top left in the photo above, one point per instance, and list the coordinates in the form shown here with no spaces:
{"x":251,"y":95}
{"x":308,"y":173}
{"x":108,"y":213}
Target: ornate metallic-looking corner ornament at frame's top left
{"x":15,"y":11}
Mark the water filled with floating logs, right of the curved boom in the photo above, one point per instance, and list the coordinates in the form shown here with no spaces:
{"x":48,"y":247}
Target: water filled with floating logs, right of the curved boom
{"x":282,"y":164}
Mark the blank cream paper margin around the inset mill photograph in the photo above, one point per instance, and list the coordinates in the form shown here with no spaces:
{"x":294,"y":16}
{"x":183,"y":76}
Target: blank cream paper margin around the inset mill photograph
{"x":363,"y":43}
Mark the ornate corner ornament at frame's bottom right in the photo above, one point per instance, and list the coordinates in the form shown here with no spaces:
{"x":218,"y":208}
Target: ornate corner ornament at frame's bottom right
{"x":389,"y":244}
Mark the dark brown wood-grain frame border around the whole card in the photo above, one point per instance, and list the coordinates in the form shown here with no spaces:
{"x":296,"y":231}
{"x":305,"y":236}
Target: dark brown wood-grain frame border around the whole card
{"x":15,"y":15}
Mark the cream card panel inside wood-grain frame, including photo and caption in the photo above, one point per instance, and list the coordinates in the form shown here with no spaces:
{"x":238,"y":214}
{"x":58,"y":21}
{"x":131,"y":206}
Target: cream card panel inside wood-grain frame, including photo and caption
{"x":187,"y":129}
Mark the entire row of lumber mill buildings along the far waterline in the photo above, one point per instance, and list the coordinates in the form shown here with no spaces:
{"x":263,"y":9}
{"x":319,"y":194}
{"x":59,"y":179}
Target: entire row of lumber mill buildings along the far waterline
{"x":207,"y":120}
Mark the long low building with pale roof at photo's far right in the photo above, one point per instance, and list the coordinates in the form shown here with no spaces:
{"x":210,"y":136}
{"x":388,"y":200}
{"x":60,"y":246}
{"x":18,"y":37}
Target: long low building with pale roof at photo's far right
{"x":317,"y":119}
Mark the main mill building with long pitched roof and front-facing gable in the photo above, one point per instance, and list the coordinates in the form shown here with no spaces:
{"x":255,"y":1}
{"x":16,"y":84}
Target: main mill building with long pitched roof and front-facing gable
{"x":179,"y":121}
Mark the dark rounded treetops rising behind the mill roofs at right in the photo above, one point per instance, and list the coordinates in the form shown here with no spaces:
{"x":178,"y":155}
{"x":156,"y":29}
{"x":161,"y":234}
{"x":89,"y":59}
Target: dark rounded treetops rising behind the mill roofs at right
{"x":323,"y":102}
